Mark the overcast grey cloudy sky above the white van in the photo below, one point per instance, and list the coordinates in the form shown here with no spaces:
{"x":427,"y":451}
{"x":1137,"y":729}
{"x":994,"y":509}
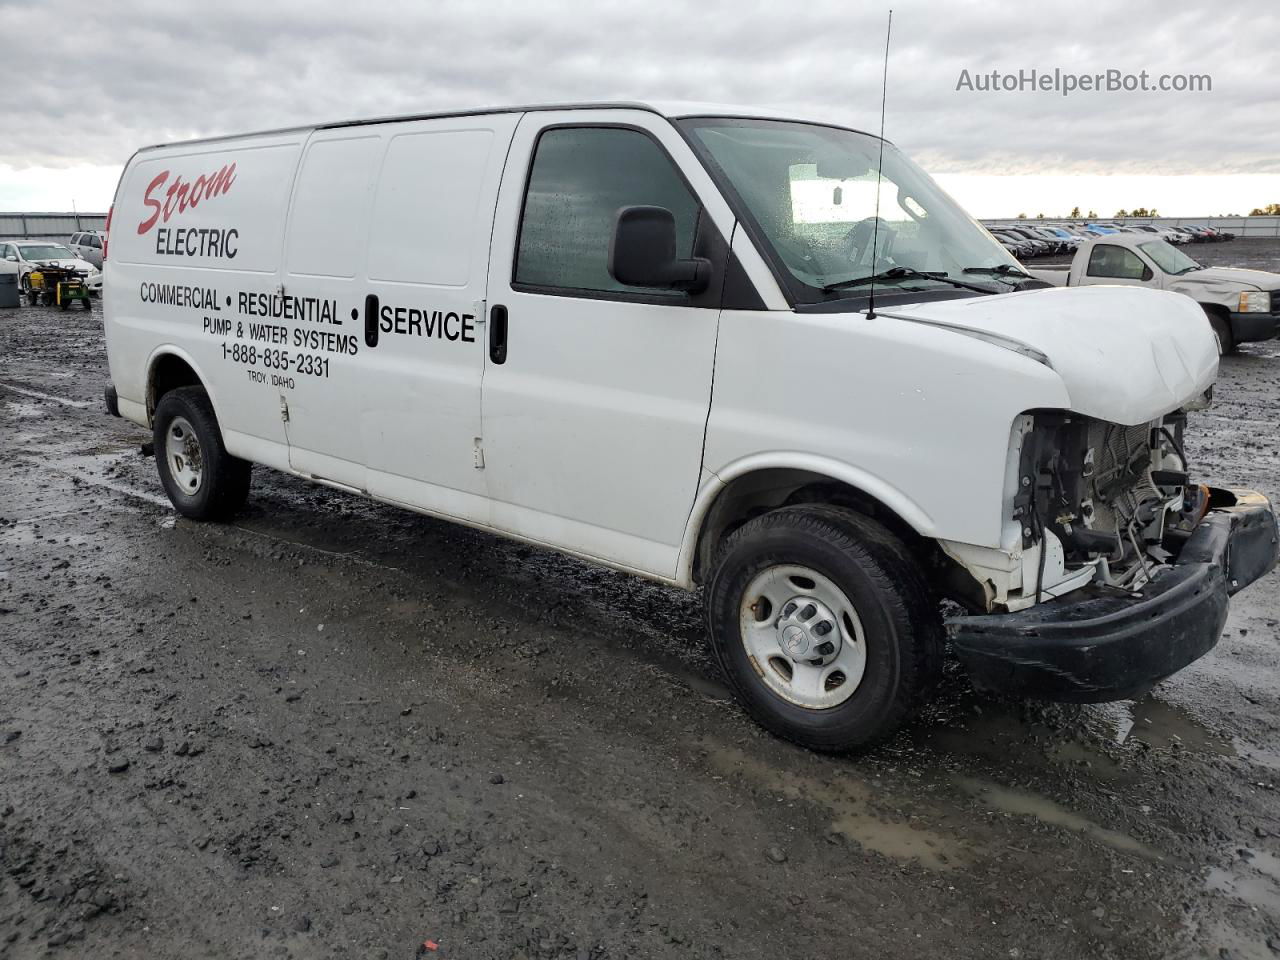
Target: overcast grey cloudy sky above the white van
{"x":109,"y":77}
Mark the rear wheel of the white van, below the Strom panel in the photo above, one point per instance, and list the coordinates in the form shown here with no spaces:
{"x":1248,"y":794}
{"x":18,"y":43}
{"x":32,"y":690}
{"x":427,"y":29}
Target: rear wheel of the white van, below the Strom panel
{"x":203,"y":481}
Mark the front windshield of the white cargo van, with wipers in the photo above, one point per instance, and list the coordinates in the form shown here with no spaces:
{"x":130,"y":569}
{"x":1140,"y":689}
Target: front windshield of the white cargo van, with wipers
{"x":811,"y":191}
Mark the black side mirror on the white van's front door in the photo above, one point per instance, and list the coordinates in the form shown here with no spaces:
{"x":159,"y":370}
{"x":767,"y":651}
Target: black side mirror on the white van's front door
{"x":643,"y":253}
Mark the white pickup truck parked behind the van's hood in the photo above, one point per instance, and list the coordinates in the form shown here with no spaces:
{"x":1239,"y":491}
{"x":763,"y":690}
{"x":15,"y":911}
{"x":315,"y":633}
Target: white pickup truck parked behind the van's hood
{"x":1242,"y":305}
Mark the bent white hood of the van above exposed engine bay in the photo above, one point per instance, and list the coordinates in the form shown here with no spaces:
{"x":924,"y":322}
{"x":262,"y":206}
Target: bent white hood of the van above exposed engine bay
{"x":1126,"y":355}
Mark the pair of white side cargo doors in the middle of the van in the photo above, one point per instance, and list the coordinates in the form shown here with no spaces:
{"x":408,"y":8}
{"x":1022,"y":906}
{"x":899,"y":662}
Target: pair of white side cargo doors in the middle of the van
{"x":387,"y":252}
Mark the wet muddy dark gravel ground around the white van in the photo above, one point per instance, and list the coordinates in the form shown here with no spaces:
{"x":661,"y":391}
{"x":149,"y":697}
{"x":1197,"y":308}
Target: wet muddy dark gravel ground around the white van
{"x":333,"y":729}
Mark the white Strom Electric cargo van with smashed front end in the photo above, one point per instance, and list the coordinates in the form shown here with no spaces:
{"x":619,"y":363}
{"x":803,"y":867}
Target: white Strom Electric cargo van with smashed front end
{"x":644,"y":335}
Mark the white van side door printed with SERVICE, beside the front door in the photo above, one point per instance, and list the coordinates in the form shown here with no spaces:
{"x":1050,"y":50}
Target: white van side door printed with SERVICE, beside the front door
{"x":428,"y":263}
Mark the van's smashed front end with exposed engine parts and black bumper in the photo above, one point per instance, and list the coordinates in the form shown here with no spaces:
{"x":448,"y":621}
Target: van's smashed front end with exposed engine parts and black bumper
{"x":1119,"y":565}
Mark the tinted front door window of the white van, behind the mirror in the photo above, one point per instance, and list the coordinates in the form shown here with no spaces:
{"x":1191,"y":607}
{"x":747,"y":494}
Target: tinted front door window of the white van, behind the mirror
{"x":580,"y":177}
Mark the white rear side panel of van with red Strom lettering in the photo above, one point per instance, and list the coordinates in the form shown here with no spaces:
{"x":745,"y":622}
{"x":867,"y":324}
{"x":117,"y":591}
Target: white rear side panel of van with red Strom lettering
{"x":196,"y":230}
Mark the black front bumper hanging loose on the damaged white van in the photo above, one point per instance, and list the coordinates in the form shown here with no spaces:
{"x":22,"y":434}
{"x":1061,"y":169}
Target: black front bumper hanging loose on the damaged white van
{"x":1104,"y":644}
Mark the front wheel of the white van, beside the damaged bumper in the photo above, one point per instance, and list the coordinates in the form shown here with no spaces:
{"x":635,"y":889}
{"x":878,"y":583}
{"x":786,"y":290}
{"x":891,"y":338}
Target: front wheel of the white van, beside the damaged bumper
{"x":893,"y":605}
